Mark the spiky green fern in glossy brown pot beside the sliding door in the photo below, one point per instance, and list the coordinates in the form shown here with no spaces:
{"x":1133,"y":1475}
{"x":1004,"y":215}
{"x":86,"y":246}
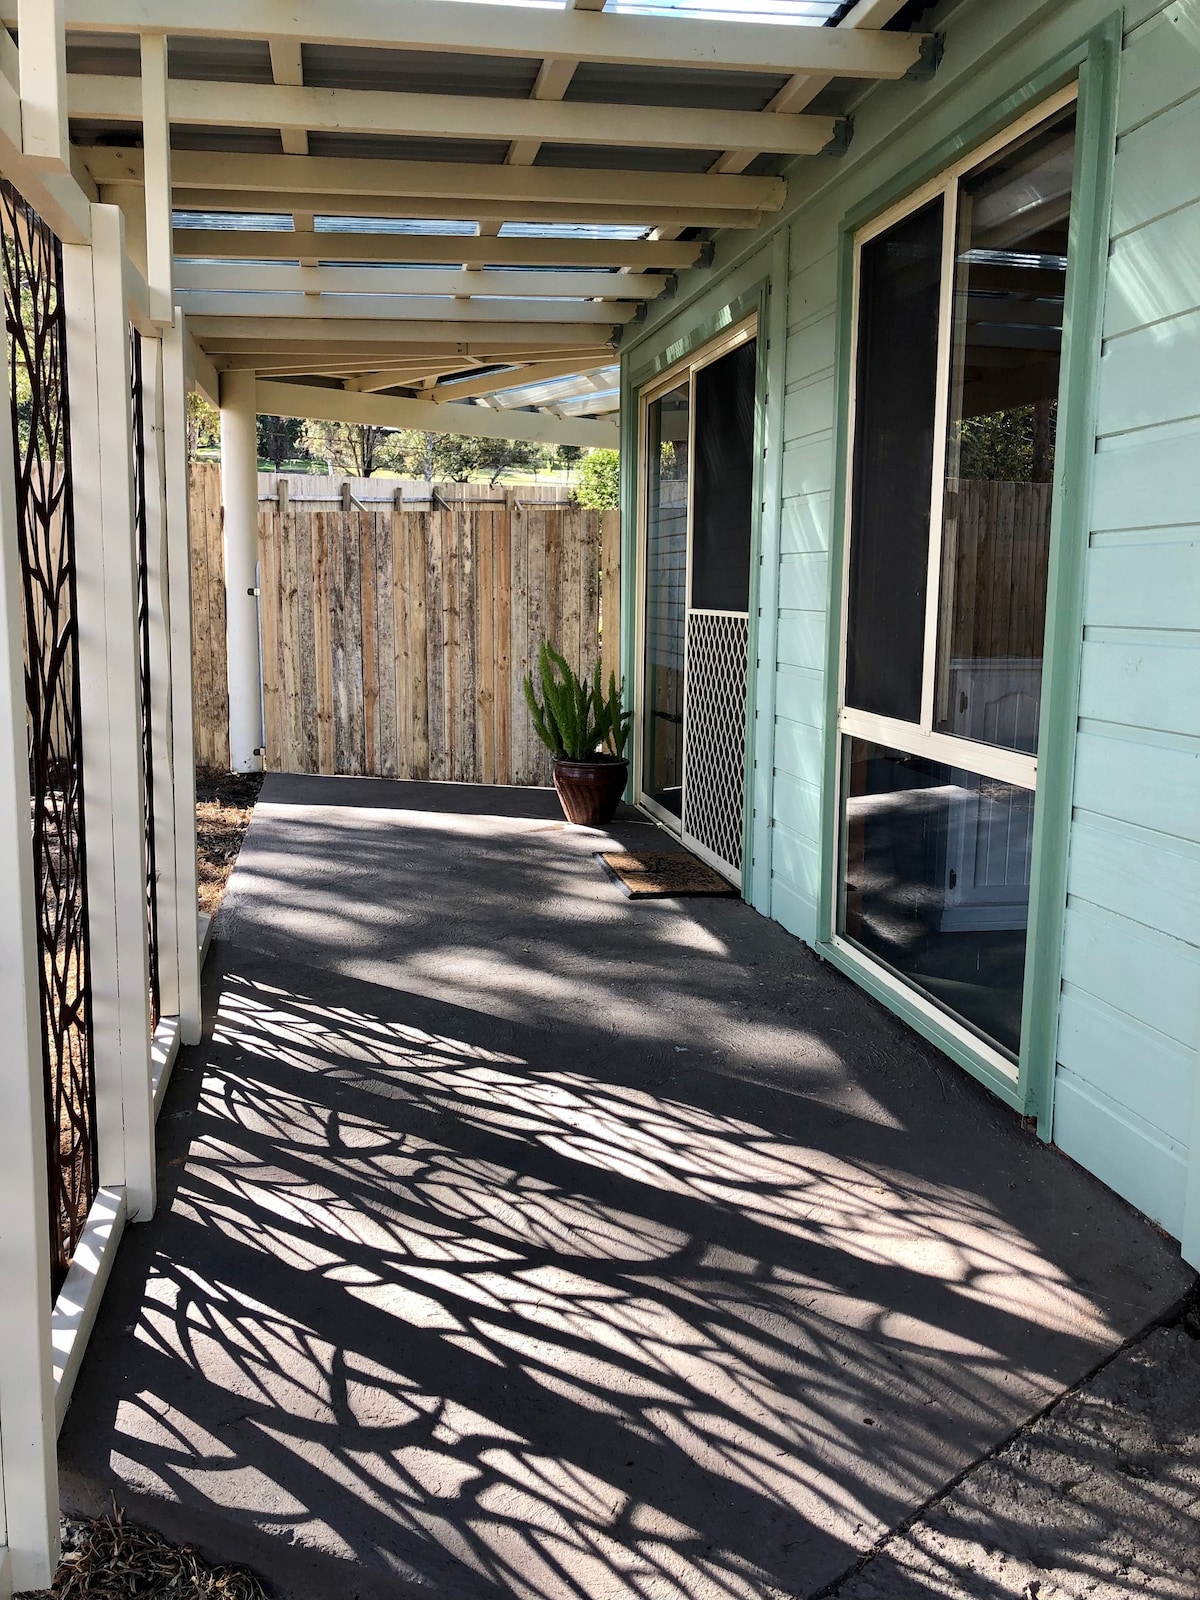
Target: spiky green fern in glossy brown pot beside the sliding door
{"x":585,"y":730}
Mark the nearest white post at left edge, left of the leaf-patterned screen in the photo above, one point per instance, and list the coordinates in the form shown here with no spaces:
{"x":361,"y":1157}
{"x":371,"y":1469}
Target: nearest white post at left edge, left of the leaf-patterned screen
{"x":28,"y":1452}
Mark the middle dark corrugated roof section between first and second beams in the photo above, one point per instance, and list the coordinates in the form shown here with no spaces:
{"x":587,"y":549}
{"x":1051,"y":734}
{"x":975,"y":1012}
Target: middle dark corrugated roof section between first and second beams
{"x":417,"y":71}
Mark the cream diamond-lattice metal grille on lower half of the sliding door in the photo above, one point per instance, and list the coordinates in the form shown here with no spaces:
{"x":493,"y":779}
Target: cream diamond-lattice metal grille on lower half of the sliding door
{"x":714,"y":790}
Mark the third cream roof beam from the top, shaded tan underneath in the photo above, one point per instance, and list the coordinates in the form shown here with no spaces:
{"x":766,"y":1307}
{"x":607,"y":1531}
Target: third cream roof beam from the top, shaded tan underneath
{"x":449,"y":183}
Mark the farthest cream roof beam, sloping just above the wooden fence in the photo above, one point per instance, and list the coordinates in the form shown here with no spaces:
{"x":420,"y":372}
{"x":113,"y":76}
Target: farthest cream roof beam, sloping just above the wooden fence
{"x":343,"y":406}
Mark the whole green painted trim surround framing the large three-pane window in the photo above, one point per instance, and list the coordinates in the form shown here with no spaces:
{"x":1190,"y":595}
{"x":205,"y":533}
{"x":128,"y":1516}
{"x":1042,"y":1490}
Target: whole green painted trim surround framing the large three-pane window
{"x":1095,"y":60}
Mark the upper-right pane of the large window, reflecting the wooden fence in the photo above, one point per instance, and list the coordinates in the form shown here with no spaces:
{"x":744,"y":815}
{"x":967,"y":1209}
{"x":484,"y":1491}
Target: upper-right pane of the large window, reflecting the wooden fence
{"x":1010,"y":281}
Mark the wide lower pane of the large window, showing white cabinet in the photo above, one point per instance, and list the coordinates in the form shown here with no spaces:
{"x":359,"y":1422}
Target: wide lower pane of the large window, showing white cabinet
{"x":937,"y":882}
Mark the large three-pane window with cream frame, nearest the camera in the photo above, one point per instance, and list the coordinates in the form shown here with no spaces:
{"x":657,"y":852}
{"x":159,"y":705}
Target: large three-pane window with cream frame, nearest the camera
{"x":956,"y":378}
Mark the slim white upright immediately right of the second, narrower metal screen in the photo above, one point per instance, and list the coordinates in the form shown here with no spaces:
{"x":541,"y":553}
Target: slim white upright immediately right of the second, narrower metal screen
{"x":162,"y":700}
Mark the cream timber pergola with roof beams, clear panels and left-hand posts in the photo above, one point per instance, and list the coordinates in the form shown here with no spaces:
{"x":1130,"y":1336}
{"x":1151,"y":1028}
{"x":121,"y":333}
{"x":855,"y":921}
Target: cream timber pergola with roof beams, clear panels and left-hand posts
{"x":430,"y":215}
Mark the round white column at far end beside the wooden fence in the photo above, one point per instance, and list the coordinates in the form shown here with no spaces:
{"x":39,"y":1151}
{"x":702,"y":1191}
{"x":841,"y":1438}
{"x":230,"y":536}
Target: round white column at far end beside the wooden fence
{"x":239,"y":500}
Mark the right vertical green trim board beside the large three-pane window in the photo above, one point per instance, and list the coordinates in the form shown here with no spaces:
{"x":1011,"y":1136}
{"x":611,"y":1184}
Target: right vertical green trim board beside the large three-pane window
{"x":1084,"y":326}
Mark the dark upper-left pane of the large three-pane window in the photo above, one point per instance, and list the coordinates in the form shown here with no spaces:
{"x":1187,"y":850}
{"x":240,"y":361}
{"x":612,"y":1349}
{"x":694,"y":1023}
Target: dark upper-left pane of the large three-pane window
{"x":900,"y":284}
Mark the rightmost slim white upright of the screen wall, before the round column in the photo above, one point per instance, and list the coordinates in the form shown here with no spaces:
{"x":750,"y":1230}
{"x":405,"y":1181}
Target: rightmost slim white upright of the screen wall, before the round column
{"x":183,"y":734}
